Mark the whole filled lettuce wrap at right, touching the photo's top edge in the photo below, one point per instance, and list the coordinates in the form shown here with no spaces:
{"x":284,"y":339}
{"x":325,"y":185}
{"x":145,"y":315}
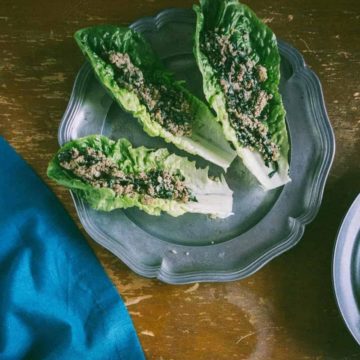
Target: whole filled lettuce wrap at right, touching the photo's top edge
{"x":252,"y":49}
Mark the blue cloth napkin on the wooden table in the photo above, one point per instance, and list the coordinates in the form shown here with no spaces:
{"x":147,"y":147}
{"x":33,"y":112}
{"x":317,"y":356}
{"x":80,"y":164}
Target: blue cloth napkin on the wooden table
{"x":56,"y":301}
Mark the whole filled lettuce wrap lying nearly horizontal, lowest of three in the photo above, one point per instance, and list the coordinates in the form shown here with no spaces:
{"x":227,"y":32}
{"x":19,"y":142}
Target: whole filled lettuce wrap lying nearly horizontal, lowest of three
{"x":111,"y":175}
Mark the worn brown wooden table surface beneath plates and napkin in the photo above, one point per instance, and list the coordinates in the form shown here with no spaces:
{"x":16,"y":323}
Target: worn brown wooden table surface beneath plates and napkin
{"x":286,"y":310}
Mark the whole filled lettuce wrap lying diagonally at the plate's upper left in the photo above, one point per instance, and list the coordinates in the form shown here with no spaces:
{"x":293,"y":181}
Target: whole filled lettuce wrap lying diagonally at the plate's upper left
{"x":126,"y":65}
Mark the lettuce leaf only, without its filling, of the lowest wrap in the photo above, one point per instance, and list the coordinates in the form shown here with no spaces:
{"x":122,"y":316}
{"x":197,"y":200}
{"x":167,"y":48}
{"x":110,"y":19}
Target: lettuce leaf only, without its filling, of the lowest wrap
{"x":213,"y":197}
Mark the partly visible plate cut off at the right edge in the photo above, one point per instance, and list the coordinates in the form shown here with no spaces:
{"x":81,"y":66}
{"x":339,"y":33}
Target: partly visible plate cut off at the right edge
{"x":346,"y":269}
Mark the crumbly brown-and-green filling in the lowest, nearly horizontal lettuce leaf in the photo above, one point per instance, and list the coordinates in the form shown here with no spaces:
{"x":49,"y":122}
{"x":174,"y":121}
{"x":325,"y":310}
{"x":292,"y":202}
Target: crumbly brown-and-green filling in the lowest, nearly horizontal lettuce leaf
{"x":93,"y":167}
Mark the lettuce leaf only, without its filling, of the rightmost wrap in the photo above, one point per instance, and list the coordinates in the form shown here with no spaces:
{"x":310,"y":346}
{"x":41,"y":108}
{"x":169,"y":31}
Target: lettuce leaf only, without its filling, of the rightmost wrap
{"x":258,"y":43}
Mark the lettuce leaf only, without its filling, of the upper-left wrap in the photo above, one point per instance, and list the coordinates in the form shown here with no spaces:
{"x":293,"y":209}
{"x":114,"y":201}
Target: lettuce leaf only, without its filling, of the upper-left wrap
{"x":207,"y":139}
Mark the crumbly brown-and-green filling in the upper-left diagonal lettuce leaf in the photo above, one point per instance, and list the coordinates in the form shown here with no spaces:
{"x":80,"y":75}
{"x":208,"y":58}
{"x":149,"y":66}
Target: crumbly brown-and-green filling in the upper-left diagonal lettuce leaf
{"x":166,"y":105}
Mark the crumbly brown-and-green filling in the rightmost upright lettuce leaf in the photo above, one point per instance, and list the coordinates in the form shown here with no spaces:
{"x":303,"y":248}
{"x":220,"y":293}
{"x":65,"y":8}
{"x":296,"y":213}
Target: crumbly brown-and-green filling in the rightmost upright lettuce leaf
{"x":246,"y":101}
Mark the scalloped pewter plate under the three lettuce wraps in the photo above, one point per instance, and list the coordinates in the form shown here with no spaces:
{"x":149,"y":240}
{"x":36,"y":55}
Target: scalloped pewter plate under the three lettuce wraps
{"x":194,"y":247}
